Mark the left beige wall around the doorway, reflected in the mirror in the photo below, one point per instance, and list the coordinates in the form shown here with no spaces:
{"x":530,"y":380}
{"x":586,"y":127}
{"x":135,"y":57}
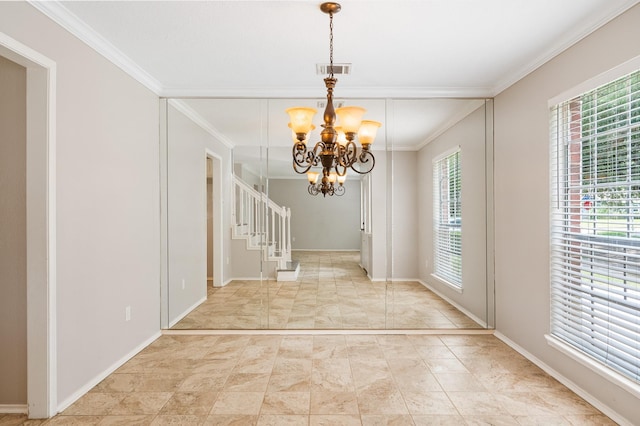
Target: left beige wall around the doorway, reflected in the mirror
{"x":188,"y":146}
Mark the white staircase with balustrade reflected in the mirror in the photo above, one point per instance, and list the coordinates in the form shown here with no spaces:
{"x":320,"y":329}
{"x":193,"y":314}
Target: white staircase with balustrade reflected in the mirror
{"x":264,"y":226}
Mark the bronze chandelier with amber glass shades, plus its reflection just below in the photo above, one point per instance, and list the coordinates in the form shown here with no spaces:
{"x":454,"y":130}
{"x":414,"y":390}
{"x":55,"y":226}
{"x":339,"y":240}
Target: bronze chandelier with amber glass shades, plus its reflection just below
{"x":336,"y":150}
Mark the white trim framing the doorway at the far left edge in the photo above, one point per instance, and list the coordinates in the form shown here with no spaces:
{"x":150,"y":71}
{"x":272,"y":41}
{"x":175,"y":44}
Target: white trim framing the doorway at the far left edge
{"x":41,"y":225}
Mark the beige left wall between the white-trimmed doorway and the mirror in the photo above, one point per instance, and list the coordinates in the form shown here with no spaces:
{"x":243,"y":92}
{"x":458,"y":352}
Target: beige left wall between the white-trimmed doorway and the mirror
{"x":107,"y":187}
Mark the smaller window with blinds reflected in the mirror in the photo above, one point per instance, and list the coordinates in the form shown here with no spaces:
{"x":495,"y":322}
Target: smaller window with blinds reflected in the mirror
{"x":447,"y":226}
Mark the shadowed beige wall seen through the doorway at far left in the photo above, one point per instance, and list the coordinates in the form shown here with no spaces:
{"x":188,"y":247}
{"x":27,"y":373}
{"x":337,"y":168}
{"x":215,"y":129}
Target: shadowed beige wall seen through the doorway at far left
{"x":13,"y":233}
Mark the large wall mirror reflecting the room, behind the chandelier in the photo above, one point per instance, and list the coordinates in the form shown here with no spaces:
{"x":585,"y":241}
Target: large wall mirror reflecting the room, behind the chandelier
{"x":292,"y":260}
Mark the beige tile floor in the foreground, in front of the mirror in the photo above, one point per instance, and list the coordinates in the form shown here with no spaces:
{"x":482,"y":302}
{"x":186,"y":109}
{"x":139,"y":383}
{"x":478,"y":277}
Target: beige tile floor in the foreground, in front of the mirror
{"x":341,"y":379}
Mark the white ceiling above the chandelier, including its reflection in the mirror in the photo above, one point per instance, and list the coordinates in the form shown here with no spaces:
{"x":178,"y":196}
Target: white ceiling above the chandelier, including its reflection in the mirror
{"x":401,"y":52}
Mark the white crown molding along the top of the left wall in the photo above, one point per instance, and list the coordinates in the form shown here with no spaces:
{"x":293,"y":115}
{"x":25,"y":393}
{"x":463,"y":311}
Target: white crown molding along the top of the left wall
{"x":70,"y":22}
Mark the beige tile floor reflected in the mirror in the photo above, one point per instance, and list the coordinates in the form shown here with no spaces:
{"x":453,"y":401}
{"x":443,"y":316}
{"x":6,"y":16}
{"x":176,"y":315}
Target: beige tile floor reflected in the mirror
{"x":332,"y":292}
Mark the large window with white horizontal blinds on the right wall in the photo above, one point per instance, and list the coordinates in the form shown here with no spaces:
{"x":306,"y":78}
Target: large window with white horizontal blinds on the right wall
{"x":595,"y":225}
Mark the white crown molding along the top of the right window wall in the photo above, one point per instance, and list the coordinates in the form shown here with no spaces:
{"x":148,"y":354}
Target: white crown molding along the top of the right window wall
{"x":560,"y":46}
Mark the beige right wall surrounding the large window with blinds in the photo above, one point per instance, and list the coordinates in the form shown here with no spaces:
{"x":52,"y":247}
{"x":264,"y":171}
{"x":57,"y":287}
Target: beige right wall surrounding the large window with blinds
{"x":522,"y":200}
